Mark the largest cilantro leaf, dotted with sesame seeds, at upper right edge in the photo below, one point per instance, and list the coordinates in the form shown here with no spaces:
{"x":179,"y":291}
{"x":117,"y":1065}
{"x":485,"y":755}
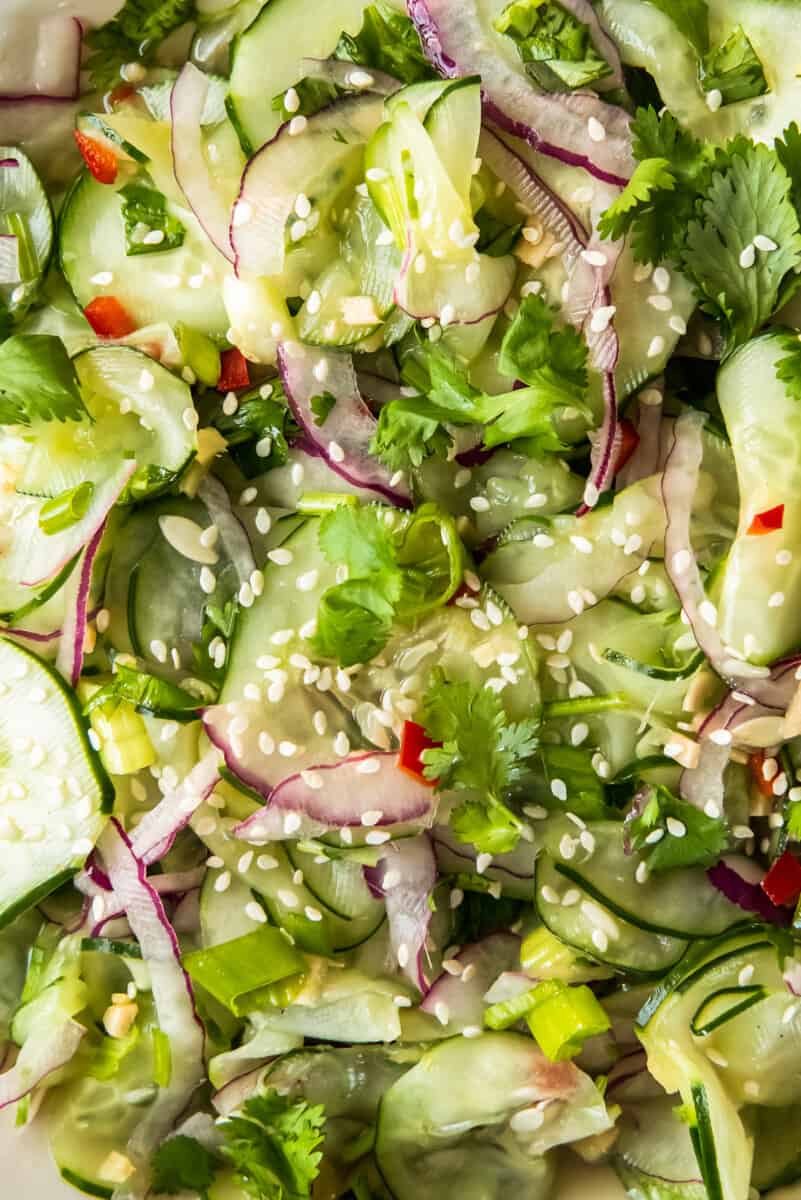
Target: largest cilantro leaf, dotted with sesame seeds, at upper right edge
{"x":751,"y":197}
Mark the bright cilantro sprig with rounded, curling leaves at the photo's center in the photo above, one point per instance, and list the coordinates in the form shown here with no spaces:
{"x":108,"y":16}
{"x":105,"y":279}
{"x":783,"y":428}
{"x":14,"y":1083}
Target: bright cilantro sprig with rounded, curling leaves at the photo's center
{"x":399,"y":569}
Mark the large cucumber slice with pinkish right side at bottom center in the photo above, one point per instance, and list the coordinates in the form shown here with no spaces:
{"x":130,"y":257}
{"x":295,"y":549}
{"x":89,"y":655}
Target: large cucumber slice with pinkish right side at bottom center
{"x":449,"y":1119}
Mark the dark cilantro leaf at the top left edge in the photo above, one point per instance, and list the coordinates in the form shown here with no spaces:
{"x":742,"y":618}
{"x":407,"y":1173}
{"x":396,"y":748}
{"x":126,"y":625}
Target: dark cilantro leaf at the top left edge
{"x":133,"y":37}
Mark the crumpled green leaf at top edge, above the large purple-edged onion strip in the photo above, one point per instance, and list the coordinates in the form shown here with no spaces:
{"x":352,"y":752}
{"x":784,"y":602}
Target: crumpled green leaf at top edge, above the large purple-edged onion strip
{"x":556,"y":46}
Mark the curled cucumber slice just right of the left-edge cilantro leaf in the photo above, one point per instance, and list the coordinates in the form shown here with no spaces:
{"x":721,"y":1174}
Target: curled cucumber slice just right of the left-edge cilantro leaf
{"x":138,"y":410}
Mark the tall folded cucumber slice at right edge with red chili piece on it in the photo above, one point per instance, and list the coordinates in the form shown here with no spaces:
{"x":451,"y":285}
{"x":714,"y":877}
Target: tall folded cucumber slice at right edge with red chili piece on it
{"x":764,"y":427}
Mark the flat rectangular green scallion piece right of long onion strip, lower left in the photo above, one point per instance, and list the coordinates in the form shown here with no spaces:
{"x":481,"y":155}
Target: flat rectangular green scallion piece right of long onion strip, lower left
{"x":238,"y":973}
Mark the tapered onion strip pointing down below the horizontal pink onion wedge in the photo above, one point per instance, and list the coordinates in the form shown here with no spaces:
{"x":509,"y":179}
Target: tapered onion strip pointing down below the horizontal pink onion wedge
{"x":406,"y":877}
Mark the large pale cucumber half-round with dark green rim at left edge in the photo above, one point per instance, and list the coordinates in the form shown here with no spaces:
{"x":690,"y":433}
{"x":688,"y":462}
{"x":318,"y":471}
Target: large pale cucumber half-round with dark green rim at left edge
{"x":49,"y":830}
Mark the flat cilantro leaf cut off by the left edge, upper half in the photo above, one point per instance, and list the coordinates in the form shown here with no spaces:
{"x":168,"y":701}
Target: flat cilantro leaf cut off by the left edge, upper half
{"x":38,"y":382}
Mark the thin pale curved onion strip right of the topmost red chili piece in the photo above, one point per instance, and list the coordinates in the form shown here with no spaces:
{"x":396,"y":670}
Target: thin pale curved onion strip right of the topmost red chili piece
{"x":192,"y":172}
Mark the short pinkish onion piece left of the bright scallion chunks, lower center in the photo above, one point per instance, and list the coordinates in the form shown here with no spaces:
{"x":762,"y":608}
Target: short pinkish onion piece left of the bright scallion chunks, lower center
{"x":457,"y":998}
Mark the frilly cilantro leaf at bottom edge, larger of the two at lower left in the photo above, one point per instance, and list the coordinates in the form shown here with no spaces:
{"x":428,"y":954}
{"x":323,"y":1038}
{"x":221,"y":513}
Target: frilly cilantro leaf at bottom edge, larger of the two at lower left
{"x":273,"y":1145}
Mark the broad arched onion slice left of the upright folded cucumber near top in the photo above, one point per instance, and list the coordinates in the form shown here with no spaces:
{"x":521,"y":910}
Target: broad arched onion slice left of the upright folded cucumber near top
{"x":302,"y":153}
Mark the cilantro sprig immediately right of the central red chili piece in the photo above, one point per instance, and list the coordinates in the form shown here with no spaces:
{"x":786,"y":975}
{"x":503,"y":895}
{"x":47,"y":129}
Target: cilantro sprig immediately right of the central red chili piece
{"x":483,"y":753}
